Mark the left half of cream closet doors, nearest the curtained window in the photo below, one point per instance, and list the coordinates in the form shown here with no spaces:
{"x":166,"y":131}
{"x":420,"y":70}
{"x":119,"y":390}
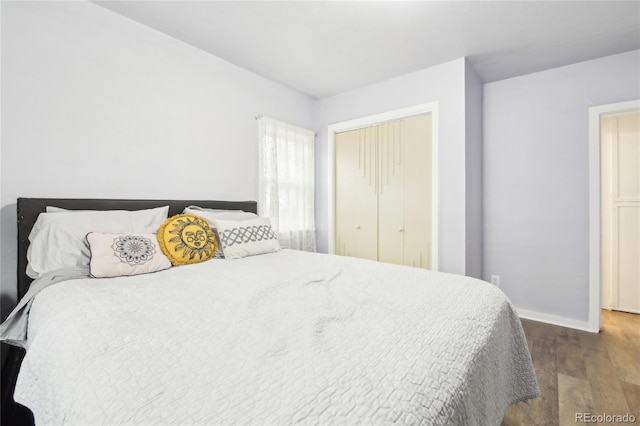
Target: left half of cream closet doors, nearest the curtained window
{"x":356,"y":193}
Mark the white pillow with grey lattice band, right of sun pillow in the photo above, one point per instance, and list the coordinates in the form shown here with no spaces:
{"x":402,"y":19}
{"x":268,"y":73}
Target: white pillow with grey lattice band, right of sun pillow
{"x":247,"y":237}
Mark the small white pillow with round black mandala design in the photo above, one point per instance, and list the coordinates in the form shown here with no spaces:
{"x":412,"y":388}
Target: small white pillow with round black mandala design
{"x":115,"y":255}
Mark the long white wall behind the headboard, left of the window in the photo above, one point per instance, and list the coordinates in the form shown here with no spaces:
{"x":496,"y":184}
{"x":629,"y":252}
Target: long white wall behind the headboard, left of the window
{"x":97,"y":105}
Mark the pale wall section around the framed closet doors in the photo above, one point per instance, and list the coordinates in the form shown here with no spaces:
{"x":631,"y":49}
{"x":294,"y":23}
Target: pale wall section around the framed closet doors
{"x":444,"y":84}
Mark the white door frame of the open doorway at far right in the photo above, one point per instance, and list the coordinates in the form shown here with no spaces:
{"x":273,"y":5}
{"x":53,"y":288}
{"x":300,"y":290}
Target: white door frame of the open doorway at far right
{"x":595,"y":243}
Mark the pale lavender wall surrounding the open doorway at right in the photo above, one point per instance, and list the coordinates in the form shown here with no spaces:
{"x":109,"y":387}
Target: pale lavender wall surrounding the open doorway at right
{"x":536,"y":181}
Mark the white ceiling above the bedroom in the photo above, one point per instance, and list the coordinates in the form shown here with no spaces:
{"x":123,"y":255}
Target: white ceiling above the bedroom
{"x":322,"y":48}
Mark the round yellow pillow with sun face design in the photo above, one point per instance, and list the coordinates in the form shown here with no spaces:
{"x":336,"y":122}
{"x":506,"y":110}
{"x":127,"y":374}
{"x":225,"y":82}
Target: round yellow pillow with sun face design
{"x":187,"y":239}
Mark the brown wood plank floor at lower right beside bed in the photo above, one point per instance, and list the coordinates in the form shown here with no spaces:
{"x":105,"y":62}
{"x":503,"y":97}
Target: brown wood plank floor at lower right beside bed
{"x":581,"y":372}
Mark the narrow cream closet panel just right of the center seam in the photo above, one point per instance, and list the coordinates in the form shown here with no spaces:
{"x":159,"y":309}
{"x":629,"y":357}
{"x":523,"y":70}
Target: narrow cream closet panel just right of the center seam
{"x":390,"y":194}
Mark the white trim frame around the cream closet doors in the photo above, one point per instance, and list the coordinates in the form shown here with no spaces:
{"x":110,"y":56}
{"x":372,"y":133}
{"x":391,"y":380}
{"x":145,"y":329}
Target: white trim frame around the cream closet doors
{"x":372,"y":120}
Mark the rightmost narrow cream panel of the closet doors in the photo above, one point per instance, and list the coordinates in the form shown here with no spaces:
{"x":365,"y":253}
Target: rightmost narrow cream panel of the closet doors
{"x":417,"y":164}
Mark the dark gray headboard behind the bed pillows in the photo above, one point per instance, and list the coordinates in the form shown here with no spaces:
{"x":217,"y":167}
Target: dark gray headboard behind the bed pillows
{"x":30,"y":208}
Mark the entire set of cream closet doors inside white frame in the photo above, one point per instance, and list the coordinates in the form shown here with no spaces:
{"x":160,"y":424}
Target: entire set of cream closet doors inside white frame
{"x":383,"y":198}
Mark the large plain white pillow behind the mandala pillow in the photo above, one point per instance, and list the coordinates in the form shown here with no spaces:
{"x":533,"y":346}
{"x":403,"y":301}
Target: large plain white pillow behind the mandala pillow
{"x":58,"y":240}
